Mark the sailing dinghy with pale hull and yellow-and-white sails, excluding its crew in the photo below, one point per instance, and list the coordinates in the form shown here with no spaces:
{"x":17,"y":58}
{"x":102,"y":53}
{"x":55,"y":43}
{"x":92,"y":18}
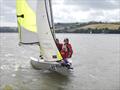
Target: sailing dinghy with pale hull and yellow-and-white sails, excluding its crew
{"x":35,"y":26}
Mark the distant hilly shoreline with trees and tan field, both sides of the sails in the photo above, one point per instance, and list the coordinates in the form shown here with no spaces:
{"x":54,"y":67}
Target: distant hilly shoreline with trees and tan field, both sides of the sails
{"x":90,"y":27}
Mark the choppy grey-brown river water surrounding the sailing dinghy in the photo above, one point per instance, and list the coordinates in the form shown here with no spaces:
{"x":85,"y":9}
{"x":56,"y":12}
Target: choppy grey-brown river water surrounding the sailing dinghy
{"x":96,"y":62}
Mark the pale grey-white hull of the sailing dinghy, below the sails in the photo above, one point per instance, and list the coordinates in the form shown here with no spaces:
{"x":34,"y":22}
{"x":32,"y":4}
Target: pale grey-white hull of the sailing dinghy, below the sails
{"x":52,"y":66}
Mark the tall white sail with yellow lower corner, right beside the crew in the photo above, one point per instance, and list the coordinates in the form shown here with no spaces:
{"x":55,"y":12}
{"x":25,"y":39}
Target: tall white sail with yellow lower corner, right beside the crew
{"x":49,"y":49}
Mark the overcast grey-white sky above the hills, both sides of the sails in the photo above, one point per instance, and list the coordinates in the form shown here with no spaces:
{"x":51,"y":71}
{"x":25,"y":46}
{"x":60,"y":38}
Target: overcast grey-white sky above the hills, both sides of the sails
{"x":69,"y":11}
